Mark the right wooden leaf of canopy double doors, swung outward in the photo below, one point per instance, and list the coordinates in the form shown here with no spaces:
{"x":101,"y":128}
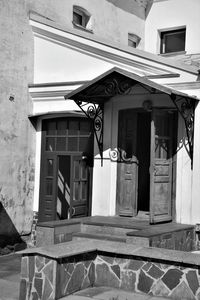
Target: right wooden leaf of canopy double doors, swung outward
{"x":161,"y":166}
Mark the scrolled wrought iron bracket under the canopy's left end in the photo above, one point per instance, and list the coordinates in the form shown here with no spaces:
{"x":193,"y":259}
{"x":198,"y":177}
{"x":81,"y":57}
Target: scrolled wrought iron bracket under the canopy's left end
{"x":94,"y":112}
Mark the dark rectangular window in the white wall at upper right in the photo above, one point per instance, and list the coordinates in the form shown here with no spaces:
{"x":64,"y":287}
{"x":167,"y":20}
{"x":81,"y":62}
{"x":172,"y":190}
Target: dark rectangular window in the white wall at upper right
{"x":172,"y":41}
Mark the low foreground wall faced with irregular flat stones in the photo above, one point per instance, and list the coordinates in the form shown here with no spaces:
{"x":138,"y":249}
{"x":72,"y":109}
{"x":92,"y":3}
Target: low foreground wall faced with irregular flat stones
{"x":45,"y":278}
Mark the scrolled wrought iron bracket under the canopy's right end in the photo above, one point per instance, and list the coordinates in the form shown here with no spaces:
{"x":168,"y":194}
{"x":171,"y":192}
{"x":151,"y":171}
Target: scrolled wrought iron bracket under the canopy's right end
{"x":186,"y":108}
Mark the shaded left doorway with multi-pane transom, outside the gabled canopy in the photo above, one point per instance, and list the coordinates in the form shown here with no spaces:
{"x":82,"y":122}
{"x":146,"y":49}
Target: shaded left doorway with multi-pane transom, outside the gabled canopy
{"x":66,"y":169}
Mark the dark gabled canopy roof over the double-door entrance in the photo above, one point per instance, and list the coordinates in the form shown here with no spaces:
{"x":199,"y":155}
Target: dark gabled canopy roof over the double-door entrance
{"x":117,"y":81}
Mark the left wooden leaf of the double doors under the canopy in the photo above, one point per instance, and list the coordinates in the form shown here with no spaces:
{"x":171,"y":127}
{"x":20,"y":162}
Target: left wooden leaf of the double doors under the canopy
{"x":127,"y":169}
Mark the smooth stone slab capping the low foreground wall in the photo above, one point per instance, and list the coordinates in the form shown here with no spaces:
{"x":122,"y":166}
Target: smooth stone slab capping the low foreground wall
{"x":74,"y":248}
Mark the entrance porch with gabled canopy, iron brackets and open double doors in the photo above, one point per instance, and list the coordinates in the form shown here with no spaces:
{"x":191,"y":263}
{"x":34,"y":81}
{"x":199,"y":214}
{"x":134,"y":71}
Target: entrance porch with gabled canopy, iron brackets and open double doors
{"x":143,"y":154}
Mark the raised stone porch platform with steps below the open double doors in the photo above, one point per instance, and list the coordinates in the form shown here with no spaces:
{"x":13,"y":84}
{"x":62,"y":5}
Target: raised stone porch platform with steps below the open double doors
{"x":119,"y":229}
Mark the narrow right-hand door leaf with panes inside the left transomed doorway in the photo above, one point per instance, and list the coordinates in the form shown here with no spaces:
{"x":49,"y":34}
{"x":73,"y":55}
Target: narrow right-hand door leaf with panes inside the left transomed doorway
{"x":80,"y":188}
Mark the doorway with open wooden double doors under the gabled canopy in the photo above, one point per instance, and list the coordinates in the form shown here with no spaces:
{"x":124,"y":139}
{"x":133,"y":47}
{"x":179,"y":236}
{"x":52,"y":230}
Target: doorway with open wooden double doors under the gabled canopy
{"x":147,"y":146}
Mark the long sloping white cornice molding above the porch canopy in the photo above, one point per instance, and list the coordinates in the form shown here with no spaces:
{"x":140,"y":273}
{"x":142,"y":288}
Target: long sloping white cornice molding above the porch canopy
{"x":39,"y":26}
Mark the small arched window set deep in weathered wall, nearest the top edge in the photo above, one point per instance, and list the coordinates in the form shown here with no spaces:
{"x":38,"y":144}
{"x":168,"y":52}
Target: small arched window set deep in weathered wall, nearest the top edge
{"x":81,"y":18}
